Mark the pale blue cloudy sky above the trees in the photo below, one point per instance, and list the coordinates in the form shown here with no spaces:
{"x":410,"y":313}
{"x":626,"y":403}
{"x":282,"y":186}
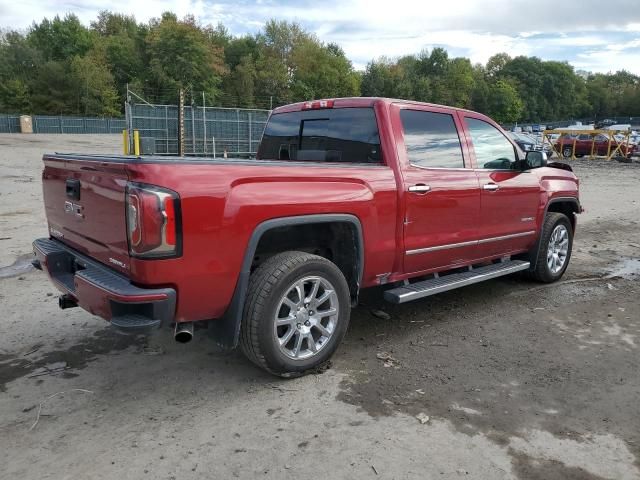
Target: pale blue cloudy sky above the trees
{"x":592,"y":35}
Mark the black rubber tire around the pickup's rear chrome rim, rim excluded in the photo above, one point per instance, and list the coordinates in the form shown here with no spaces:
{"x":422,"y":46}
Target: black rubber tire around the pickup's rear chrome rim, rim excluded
{"x":267,"y":285}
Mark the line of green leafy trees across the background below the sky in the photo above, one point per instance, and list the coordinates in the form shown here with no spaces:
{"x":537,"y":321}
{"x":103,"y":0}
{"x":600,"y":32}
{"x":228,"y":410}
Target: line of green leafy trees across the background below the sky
{"x":60,"y":66}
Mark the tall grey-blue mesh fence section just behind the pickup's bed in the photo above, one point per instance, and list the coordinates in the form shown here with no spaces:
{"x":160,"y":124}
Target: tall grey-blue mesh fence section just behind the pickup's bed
{"x":208,"y":131}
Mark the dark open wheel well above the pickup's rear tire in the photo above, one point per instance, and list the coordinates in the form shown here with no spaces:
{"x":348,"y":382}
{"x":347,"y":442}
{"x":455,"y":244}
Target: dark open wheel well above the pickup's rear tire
{"x":338,"y":242}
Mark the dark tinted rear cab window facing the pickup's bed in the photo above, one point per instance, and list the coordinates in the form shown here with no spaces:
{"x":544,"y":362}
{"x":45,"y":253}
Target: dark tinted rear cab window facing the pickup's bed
{"x":335,"y":135}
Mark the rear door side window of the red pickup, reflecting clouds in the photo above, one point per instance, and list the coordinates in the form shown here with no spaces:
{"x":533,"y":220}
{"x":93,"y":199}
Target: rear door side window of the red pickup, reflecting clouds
{"x":431,"y":139}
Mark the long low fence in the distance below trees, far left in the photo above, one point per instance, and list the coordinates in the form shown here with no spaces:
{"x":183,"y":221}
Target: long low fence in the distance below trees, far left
{"x":64,"y":124}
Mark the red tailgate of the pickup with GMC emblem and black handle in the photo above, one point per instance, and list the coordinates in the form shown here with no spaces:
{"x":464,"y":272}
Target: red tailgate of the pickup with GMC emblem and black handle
{"x":85,"y":206}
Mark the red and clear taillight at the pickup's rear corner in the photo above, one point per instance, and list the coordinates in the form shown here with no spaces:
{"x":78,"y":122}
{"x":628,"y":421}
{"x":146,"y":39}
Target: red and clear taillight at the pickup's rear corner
{"x":153,"y":221}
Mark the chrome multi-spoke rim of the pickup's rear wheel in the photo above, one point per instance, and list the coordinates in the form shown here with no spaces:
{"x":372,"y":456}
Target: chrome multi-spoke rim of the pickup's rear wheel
{"x":306,"y":317}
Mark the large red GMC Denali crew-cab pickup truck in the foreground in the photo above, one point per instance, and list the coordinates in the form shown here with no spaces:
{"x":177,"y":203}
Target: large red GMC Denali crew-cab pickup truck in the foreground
{"x":271,"y":253}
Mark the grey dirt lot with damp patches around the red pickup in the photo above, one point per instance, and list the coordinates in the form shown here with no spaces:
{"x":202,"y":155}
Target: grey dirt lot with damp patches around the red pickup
{"x":518,"y":380}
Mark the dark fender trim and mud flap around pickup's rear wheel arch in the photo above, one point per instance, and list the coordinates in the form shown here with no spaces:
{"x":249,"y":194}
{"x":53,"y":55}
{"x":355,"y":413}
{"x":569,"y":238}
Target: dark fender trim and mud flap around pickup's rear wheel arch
{"x":226,"y":329}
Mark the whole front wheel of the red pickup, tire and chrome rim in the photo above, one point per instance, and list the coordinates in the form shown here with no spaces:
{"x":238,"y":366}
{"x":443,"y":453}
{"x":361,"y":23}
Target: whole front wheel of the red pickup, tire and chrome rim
{"x":554,"y":251}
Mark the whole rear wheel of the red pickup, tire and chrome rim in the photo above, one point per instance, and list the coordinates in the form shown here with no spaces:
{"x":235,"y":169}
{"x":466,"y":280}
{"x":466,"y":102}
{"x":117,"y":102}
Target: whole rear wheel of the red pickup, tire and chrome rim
{"x":296,"y":313}
